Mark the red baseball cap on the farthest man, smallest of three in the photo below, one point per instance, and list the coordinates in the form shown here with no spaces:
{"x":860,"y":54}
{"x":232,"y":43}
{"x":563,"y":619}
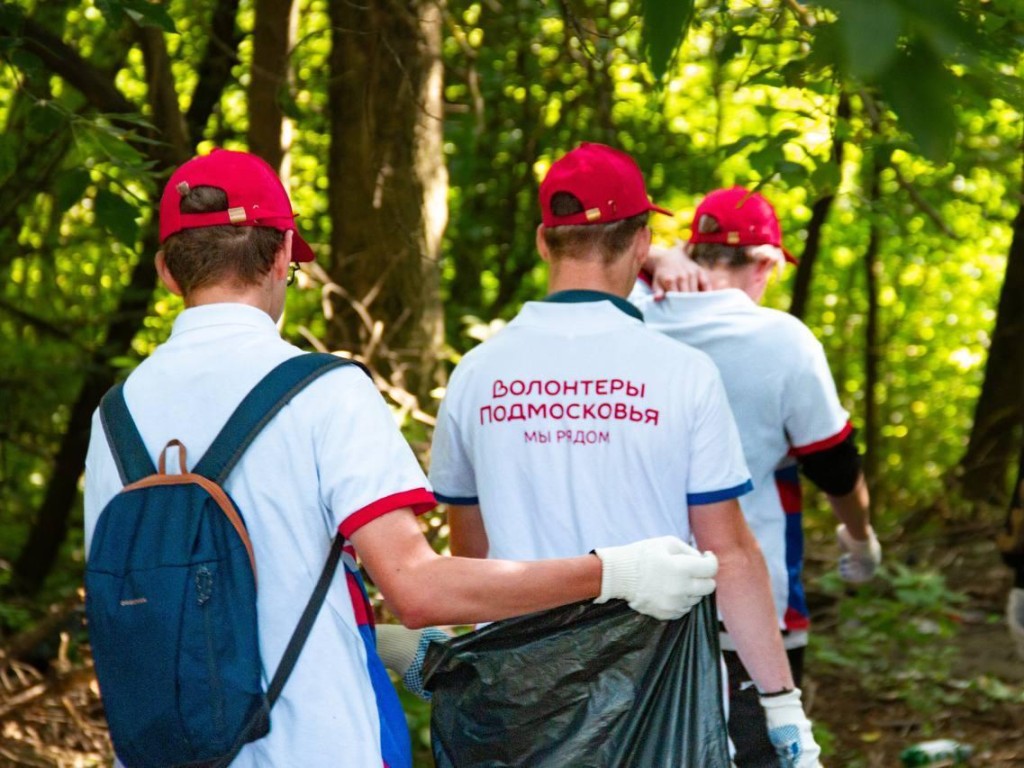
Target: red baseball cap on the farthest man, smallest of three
{"x":744,"y":218}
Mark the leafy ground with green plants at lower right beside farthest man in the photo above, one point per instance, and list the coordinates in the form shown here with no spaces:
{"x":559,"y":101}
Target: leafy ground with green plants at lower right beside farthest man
{"x":922,"y":654}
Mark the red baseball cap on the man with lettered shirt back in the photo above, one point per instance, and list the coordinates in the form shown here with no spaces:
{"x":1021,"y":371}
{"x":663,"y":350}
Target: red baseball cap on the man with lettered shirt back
{"x":608,"y":182}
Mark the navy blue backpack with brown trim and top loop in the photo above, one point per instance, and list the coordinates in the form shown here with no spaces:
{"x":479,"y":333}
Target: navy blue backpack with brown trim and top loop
{"x":172,"y":592}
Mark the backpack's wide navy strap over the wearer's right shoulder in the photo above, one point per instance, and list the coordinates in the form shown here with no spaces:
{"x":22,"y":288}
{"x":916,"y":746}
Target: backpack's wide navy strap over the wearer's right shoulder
{"x":260,"y":407}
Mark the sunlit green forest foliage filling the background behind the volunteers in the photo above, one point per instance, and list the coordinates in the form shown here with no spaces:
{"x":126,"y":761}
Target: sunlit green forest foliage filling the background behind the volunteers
{"x":888,"y":135}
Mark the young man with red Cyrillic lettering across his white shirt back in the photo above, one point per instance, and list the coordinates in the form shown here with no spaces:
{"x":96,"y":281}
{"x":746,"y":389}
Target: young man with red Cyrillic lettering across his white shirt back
{"x":577,"y":428}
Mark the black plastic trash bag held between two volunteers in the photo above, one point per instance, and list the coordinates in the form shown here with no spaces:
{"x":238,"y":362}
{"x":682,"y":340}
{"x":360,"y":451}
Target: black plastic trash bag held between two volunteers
{"x":581,"y":687}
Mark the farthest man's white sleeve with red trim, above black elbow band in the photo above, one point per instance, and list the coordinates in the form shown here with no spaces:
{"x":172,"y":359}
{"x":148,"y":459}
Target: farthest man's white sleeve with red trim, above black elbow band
{"x":813,"y":415}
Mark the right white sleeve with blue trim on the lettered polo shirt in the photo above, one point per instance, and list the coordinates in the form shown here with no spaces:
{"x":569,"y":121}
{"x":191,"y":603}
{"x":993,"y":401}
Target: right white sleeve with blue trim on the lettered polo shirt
{"x":717,"y":470}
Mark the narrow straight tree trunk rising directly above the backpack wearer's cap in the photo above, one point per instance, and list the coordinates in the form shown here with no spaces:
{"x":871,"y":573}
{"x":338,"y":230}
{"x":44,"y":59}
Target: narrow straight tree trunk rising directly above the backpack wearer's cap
{"x":274,"y":33}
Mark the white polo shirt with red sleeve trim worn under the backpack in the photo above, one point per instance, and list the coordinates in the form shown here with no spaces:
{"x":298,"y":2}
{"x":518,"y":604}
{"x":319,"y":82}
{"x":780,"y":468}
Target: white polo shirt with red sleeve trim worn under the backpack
{"x":332,"y":459}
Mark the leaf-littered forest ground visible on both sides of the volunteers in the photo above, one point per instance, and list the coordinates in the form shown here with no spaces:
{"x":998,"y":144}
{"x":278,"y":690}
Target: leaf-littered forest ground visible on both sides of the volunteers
{"x":921,"y":654}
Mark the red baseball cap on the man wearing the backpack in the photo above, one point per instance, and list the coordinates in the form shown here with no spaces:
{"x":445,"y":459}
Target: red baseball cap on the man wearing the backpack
{"x":255,"y":197}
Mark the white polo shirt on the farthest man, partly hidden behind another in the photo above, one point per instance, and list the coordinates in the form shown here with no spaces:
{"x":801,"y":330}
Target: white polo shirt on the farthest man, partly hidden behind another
{"x":786,"y":405}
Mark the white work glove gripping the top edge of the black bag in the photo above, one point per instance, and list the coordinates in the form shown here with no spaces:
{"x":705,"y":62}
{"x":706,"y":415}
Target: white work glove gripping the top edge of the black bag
{"x":663,"y":578}
